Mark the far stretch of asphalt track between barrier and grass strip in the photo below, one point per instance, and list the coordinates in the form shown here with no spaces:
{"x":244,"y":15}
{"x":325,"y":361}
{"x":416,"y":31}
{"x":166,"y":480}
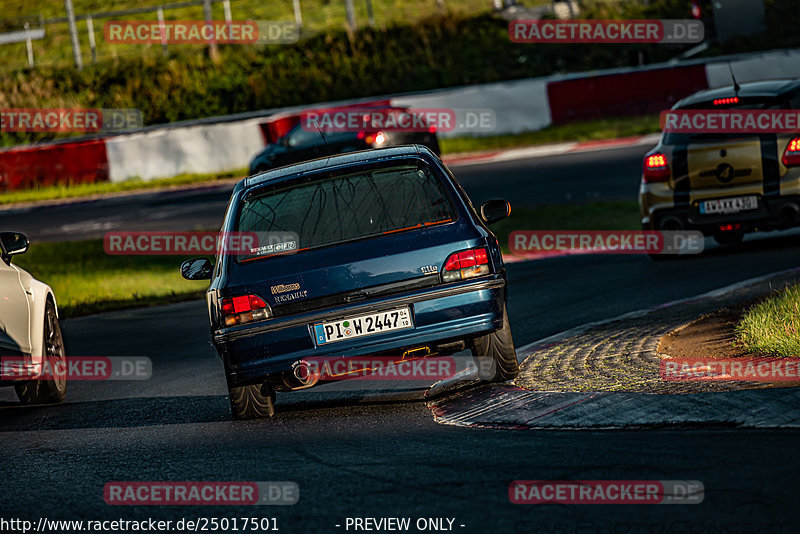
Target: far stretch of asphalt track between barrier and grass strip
{"x":608,"y":174}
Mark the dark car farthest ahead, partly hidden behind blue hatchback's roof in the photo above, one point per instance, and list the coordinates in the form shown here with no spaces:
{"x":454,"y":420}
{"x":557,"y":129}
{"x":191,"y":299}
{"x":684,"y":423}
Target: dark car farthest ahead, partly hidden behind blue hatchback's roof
{"x":302,"y":143}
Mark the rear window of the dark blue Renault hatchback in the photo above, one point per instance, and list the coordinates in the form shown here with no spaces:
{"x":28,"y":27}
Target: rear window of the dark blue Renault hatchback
{"x":344,"y":208}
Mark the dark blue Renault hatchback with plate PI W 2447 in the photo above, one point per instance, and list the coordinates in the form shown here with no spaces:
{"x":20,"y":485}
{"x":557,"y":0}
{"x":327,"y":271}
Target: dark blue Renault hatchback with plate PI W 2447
{"x":386,"y":256}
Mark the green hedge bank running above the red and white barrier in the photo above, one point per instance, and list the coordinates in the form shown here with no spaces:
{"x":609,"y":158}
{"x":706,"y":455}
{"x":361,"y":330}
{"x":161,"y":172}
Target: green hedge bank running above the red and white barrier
{"x":442,"y":51}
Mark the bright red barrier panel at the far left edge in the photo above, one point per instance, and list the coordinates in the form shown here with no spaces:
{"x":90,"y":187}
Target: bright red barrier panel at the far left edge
{"x":63,"y":163}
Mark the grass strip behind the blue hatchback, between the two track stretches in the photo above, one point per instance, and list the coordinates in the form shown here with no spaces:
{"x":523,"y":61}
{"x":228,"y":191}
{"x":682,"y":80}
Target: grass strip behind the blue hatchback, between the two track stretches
{"x":87,"y":280}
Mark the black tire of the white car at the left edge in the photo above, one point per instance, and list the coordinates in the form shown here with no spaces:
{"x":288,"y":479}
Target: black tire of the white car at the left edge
{"x":46,"y":391}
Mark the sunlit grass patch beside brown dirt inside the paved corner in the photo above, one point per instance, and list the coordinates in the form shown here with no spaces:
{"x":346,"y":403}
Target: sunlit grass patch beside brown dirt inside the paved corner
{"x":773,"y":325}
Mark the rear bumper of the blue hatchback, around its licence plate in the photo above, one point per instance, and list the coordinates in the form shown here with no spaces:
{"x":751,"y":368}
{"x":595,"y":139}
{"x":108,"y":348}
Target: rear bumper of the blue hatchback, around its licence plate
{"x":445,"y":313}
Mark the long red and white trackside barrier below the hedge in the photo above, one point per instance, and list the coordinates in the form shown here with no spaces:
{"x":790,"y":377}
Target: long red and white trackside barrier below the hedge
{"x":519,"y":106}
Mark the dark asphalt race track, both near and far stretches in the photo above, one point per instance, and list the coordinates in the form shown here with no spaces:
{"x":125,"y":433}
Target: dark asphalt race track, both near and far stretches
{"x":379,"y":453}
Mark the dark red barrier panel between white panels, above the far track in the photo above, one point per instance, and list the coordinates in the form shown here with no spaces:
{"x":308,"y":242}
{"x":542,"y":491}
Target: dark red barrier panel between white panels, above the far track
{"x":632,"y":93}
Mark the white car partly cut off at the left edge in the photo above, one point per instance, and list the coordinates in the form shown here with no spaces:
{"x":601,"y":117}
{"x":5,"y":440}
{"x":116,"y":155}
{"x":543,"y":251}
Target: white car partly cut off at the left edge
{"x":31,"y":344}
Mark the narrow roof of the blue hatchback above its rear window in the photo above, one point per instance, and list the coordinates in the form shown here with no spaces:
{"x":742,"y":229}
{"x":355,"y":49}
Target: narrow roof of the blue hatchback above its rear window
{"x":339,"y":160}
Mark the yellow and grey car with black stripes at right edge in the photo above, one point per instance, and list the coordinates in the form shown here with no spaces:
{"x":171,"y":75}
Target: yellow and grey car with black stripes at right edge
{"x":726,"y":184}
